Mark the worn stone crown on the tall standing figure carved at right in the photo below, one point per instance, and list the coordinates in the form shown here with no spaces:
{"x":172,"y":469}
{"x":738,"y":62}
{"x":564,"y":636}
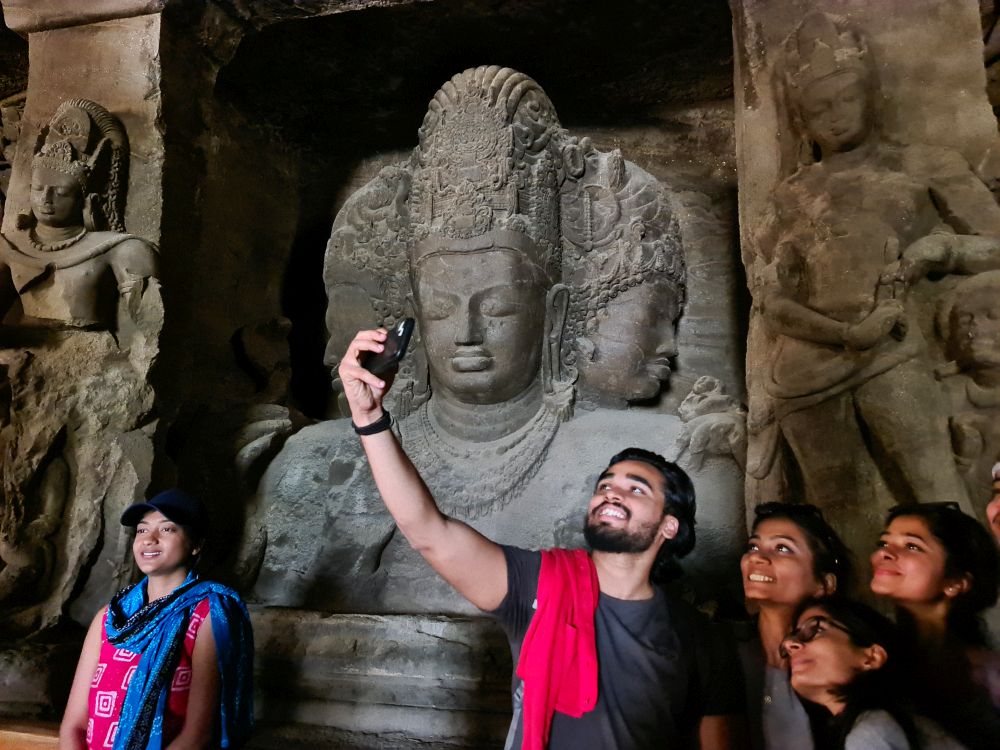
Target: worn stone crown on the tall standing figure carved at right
{"x":821,"y":46}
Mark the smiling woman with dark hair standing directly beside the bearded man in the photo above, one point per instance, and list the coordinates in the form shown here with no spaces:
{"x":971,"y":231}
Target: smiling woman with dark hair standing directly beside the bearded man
{"x":792,"y":555}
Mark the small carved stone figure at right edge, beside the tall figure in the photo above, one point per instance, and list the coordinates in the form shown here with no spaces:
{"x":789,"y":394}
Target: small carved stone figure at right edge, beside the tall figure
{"x":969,"y":321}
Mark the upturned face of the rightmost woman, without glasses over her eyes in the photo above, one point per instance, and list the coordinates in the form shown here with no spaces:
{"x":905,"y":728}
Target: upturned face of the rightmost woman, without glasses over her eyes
{"x":908,"y":564}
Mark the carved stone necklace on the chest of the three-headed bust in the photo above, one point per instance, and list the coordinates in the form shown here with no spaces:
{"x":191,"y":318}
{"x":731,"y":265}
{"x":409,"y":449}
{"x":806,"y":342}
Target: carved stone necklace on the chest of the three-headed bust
{"x":471,"y":480}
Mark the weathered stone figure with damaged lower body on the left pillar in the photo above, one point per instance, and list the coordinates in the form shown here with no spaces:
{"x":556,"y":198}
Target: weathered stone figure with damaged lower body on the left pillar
{"x":82,"y":319}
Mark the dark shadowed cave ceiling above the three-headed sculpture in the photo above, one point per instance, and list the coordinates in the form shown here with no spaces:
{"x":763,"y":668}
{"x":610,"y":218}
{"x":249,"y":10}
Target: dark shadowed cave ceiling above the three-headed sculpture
{"x":365,"y":77}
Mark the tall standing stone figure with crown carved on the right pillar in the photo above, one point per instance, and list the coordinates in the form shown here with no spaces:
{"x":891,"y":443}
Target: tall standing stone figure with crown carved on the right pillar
{"x":846,"y":376}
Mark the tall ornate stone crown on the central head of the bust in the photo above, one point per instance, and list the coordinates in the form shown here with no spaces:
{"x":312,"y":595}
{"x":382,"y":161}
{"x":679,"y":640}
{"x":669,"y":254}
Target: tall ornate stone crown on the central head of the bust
{"x":487,"y":169}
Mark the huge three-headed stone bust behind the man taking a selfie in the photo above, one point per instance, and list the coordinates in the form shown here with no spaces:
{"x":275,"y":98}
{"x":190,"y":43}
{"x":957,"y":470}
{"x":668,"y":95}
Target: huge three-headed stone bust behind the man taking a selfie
{"x":487,"y":234}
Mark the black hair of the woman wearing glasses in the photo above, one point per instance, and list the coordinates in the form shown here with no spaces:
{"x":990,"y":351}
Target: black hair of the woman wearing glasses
{"x":871,"y":690}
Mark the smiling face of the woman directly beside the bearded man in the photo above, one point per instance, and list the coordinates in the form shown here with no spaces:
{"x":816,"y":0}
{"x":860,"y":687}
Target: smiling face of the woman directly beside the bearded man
{"x":778,"y":564}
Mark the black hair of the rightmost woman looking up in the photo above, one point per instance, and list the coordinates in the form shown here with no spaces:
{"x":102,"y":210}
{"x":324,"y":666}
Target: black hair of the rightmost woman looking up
{"x":970,"y":553}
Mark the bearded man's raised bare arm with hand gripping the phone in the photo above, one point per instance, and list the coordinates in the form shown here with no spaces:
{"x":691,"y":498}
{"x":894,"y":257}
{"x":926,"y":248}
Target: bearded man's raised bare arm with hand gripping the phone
{"x":471,"y":563}
